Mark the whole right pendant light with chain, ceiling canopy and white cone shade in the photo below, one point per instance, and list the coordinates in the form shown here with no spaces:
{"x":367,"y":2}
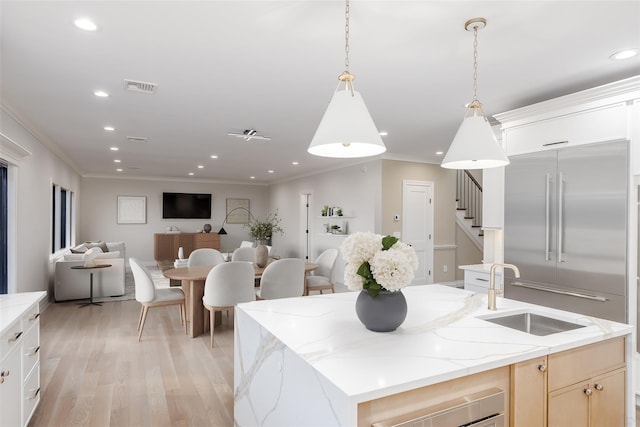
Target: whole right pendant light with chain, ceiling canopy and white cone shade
{"x":475,"y":145}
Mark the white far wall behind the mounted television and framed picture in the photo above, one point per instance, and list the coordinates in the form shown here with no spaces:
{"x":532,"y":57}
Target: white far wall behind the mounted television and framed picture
{"x":99,"y":211}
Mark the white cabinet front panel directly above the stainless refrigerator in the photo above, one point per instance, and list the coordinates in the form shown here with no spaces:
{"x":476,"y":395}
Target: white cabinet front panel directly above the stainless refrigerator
{"x":596,"y":125}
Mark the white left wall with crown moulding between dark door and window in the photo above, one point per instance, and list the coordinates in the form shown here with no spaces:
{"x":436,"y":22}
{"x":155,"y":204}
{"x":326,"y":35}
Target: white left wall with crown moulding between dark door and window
{"x":35,"y":176}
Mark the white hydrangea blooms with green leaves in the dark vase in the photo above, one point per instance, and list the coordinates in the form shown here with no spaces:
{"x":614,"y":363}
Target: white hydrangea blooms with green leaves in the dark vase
{"x":377,"y":263}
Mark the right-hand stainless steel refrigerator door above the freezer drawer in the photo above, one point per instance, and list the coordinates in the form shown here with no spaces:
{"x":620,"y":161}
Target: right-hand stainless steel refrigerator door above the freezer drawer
{"x":592,"y":228}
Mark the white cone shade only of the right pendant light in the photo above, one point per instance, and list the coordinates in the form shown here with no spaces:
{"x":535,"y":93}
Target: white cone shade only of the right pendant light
{"x":474,"y":147}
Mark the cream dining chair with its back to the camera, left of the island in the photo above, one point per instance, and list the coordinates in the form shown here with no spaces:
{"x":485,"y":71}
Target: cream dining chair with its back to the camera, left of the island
{"x":227,"y":285}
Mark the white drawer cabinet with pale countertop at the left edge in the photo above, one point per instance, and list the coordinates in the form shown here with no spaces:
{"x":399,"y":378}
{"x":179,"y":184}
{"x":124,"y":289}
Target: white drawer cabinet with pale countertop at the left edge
{"x":19,"y":357}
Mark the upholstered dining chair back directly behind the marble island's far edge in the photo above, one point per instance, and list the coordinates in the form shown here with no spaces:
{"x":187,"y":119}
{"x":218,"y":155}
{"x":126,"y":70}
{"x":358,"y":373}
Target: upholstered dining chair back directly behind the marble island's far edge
{"x":282,"y":278}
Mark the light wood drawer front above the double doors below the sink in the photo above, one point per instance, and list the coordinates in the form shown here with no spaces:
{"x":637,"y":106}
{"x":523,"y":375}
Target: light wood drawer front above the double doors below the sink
{"x":571,"y":366}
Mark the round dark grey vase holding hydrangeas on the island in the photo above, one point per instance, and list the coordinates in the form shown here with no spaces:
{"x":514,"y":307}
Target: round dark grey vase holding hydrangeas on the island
{"x":382,"y":313}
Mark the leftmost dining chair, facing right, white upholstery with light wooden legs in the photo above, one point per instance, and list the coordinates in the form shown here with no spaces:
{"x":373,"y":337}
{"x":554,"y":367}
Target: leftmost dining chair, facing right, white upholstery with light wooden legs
{"x":149,"y":296}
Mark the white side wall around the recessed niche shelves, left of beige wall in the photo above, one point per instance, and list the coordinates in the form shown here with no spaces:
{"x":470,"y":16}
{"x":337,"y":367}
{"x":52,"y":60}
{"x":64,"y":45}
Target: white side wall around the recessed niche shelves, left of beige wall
{"x":356,"y":188}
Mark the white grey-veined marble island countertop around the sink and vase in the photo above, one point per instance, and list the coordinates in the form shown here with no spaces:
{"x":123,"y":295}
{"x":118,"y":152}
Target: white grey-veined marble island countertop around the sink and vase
{"x":442,"y":338}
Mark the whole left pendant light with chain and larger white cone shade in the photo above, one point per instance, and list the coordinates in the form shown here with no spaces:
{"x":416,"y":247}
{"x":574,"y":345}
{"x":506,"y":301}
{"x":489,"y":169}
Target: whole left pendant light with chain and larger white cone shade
{"x":346,"y":129}
